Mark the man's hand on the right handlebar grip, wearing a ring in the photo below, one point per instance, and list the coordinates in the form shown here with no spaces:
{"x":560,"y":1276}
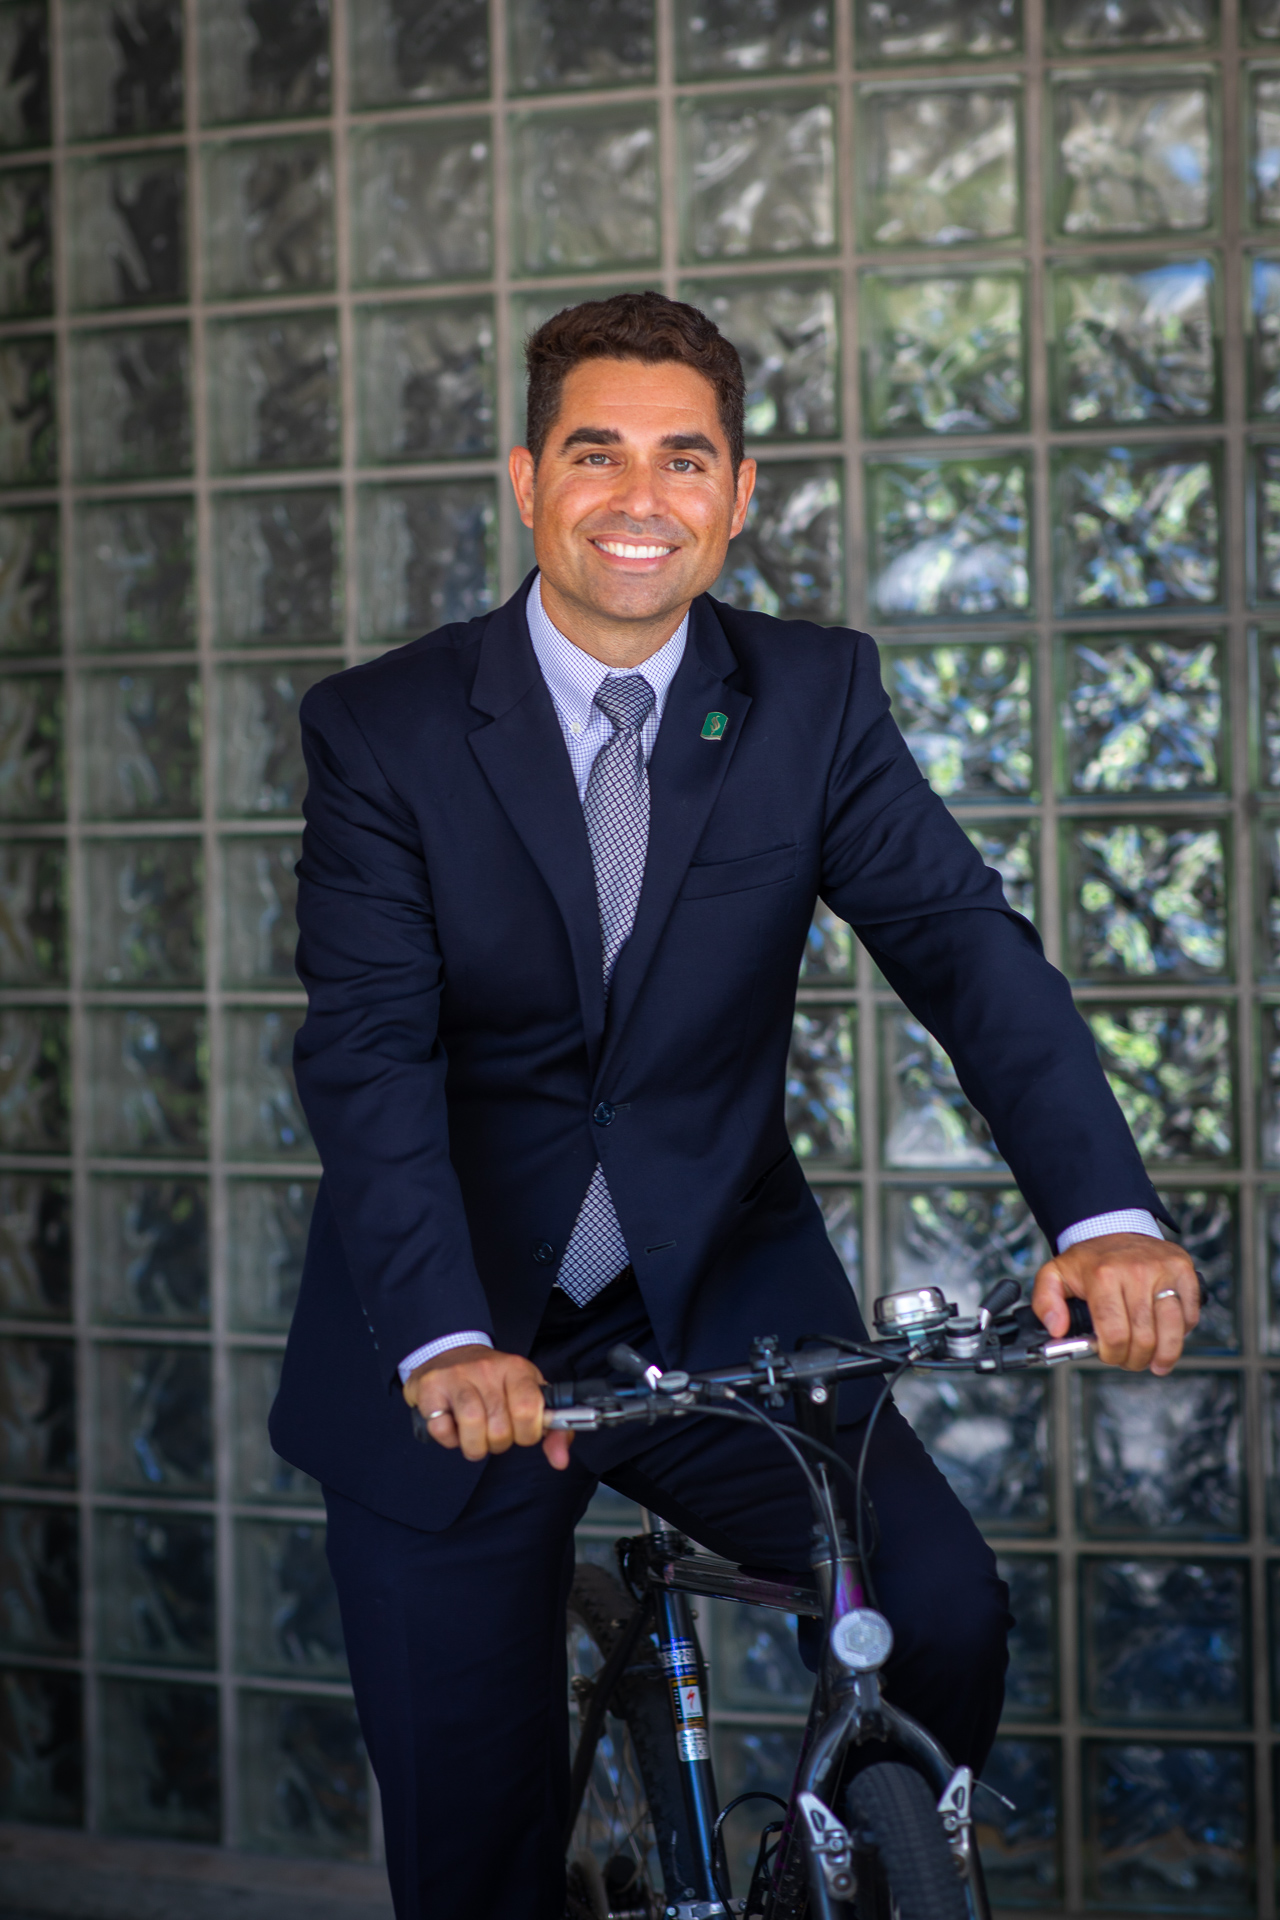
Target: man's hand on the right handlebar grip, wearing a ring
{"x":1127,"y":1280}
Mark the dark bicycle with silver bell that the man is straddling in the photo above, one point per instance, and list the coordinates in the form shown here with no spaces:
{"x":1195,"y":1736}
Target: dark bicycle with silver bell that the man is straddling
{"x":891,"y":1840}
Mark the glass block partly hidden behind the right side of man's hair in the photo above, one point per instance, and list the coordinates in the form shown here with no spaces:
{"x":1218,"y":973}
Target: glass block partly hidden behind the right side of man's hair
{"x":788,"y":339}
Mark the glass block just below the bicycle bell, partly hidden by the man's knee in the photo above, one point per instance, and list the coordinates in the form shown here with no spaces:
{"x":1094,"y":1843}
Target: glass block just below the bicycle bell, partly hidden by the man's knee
{"x":991,"y":1439}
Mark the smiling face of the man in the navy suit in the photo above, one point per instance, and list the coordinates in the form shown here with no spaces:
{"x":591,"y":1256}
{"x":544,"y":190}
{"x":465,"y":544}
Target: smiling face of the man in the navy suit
{"x":634,"y":500}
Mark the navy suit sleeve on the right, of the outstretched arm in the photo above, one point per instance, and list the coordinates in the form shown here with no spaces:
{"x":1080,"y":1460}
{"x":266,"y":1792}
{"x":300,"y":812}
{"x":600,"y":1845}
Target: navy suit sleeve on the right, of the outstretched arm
{"x":901,"y":871}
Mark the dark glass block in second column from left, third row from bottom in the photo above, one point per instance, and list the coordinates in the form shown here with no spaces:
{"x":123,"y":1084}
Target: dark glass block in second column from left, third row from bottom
{"x":154,"y":1422}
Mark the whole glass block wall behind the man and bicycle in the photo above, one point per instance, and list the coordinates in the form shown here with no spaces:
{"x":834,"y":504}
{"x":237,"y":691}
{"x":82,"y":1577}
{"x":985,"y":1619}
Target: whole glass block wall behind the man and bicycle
{"x":1007,"y":279}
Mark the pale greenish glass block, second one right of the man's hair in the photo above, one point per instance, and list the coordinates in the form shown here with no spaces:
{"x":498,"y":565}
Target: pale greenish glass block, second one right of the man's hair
{"x":943,"y":354}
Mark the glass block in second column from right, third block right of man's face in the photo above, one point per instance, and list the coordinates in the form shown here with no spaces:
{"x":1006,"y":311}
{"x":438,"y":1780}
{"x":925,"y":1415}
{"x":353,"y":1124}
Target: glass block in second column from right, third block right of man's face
{"x":1137,"y":527}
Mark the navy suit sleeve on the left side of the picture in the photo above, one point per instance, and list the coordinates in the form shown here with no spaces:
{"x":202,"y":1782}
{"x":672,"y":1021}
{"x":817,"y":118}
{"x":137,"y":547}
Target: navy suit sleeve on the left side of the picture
{"x":371,"y":1068}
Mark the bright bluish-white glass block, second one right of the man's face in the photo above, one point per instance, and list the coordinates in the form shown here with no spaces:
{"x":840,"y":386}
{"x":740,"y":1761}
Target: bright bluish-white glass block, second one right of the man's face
{"x":949,"y":539}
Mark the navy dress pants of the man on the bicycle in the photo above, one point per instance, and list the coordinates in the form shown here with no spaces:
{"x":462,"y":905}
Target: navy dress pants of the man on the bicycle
{"x":456,"y":1639}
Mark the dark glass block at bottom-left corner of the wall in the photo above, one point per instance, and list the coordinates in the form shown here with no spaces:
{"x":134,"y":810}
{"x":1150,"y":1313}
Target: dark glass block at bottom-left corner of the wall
{"x":41,"y":1746}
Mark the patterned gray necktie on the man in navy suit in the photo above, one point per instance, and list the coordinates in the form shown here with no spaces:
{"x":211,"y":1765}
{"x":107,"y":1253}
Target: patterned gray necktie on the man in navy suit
{"x":617,"y":811}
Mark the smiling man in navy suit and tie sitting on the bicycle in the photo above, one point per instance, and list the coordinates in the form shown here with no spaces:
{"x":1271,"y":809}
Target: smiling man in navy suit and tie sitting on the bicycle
{"x":557,"y":878}
